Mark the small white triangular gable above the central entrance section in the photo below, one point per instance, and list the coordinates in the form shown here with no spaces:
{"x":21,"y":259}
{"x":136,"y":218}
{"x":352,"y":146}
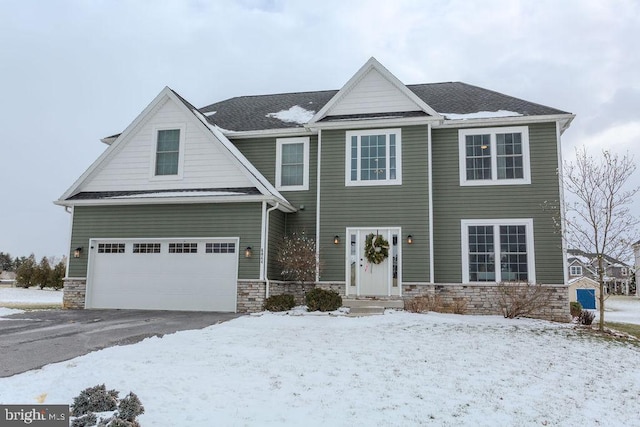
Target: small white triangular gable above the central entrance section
{"x":373,"y":92}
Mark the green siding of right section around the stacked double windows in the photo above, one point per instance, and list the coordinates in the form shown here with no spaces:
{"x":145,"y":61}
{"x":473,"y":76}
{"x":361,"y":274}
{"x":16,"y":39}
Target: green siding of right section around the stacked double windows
{"x":452,"y":203}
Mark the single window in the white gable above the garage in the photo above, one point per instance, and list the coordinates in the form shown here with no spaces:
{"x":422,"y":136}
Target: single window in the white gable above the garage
{"x":169,"y":152}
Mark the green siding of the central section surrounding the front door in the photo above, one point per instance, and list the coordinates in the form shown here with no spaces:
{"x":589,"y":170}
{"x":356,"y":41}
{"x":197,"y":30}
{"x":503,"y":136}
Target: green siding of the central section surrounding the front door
{"x":405,"y":206}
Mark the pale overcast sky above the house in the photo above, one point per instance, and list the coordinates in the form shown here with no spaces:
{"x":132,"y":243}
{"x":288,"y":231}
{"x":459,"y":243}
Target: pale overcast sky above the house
{"x":73,"y":72}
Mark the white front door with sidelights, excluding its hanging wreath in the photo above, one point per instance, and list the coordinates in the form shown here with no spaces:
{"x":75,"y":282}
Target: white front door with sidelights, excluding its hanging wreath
{"x":366,"y":277}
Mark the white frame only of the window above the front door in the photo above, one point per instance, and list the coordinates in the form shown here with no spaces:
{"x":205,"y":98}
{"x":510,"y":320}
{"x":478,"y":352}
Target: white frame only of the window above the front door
{"x":359,"y":133}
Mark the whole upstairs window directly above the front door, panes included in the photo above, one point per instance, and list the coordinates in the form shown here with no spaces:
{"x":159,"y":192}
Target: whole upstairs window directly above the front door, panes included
{"x":374,"y":157}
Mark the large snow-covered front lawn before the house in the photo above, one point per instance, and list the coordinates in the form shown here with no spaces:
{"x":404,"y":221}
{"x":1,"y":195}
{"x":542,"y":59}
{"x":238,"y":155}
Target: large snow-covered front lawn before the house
{"x":398,"y":369}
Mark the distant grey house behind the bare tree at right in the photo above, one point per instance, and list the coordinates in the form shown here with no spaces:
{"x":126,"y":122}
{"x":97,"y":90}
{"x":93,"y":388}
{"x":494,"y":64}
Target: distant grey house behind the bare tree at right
{"x":617,"y":274}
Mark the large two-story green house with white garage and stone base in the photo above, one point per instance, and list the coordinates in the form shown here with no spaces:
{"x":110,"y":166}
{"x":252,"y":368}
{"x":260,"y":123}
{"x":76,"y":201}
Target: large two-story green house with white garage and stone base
{"x":408,"y":190}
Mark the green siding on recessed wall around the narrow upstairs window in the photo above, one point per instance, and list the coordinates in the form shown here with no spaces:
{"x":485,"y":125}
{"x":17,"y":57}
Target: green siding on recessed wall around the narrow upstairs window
{"x":261,"y":152}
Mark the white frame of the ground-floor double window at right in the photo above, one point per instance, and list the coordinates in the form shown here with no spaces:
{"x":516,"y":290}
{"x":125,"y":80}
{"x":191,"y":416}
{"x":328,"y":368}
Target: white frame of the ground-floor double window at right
{"x":496,"y":223}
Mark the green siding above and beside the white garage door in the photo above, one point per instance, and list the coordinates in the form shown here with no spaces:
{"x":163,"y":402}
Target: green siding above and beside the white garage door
{"x":241,"y":220}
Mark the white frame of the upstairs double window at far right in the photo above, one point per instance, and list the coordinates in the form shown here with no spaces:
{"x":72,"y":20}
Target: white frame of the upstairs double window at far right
{"x":492,"y":132}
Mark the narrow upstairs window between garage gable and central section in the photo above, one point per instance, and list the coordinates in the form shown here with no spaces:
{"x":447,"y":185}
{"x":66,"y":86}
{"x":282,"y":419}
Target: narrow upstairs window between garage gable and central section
{"x":292,"y":164}
